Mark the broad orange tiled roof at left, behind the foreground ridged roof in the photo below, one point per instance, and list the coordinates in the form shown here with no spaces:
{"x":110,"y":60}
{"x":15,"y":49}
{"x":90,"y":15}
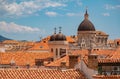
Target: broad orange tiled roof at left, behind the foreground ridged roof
{"x":22,"y":58}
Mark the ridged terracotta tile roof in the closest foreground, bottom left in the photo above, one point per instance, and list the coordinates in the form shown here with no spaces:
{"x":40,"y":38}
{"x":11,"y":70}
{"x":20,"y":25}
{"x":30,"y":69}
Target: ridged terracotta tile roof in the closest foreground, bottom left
{"x":40,"y":74}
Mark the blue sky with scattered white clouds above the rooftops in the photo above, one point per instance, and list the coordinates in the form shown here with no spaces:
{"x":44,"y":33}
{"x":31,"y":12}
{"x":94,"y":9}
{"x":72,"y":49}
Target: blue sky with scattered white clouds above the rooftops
{"x":30,"y":19}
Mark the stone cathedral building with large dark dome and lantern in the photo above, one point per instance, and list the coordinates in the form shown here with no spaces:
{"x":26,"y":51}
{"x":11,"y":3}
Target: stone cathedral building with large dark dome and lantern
{"x":88,"y":36}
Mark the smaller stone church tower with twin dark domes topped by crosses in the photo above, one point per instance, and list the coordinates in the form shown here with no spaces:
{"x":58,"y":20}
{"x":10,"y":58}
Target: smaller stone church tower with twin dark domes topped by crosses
{"x":58,"y":44}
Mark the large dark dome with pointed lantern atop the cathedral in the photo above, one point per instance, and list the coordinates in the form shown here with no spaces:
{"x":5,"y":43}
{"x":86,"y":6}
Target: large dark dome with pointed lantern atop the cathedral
{"x":86,"y":24}
